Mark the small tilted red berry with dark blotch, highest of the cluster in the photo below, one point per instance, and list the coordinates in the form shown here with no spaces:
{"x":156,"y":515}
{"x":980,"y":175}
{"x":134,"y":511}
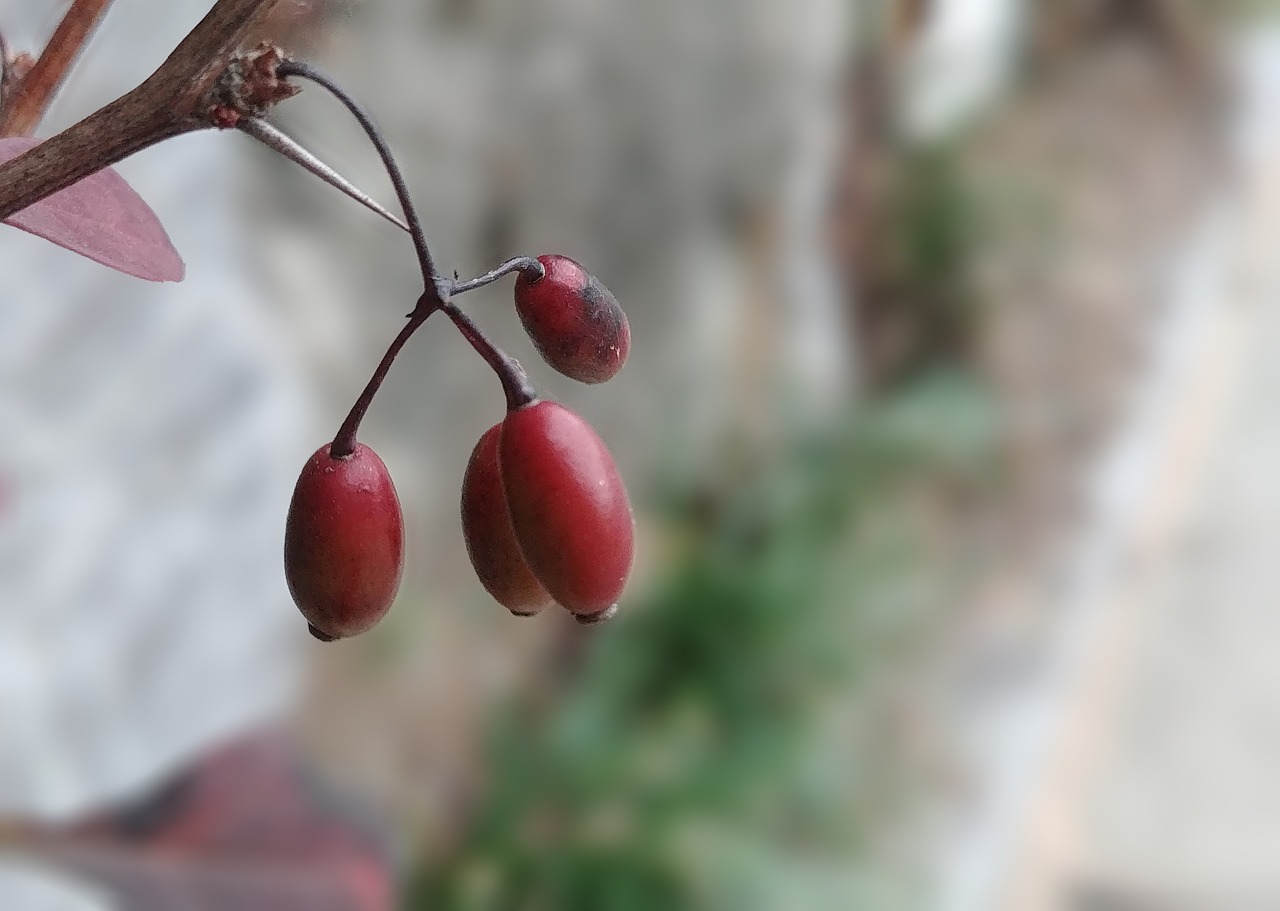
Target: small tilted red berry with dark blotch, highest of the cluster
{"x":575,"y":322}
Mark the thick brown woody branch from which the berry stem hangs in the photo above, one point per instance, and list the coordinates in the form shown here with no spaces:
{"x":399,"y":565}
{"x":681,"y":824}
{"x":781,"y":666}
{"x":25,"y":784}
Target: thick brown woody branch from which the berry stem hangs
{"x":171,"y":102}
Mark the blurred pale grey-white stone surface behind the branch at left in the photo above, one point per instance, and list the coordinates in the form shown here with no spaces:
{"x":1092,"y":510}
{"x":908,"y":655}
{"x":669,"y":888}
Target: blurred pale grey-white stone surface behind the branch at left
{"x":153,"y":437}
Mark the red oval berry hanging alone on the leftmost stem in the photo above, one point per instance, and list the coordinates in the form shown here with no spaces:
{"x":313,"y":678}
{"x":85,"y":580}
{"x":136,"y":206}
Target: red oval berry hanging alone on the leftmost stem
{"x":344,"y":543}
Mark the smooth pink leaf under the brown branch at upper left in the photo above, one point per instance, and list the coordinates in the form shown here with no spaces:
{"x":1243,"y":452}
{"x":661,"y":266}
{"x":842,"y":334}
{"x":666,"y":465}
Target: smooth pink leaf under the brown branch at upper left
{"x":102,"y":218}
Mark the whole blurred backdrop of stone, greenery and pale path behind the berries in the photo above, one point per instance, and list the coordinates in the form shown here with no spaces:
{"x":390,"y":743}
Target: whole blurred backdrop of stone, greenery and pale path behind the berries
{"x":948,"y":424}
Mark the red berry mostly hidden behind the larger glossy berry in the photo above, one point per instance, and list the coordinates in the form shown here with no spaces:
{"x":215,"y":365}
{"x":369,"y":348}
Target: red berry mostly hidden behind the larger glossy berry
{"x":490,"y":537}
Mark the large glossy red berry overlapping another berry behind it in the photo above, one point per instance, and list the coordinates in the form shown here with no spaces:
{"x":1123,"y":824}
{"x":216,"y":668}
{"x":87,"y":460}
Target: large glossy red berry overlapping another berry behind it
{"x":569,"y":507}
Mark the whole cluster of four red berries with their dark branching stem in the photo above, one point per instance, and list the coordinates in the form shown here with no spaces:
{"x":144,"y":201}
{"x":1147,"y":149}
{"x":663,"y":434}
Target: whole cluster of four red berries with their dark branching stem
{"x":546,"y":516}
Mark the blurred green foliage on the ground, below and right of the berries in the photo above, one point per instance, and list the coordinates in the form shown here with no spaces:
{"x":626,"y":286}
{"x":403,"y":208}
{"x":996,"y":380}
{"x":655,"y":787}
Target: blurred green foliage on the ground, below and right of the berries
{"x":702,"y":752}
